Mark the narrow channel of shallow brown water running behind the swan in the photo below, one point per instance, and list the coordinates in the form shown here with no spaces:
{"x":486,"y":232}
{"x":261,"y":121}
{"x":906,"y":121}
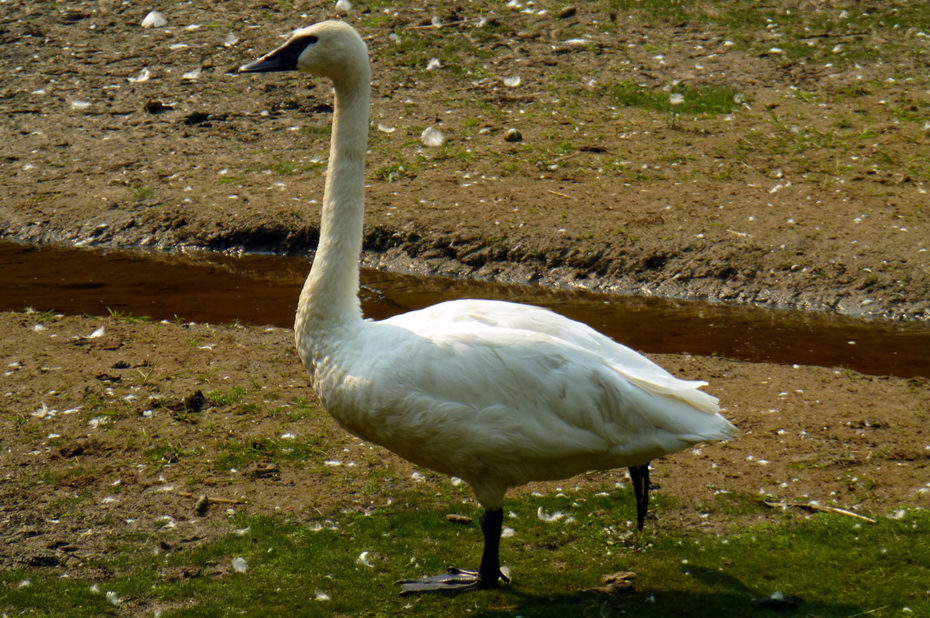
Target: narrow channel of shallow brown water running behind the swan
{"x":261,"y":289}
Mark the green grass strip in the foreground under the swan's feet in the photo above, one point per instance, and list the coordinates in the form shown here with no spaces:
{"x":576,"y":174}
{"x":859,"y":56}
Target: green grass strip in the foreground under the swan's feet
{"x":837,"y":565}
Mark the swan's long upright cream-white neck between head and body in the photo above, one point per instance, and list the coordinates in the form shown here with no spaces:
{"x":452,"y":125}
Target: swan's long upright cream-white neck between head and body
{"x":329,"y":298}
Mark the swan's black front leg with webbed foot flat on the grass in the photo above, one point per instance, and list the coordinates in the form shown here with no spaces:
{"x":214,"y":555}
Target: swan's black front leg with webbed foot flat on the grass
{"x":488,"y":574}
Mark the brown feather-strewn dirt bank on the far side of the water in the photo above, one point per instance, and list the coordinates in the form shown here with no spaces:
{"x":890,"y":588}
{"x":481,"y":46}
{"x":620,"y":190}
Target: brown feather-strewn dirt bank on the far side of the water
{"x":724,"y":150}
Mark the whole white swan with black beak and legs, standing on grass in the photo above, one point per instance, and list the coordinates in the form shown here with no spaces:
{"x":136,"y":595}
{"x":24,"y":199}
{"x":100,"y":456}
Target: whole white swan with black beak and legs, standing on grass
{"x":496,"y":393}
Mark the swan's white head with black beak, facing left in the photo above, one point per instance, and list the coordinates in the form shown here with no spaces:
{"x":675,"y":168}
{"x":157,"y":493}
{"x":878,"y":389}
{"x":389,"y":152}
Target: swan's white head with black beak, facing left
{"x":332,"y":49}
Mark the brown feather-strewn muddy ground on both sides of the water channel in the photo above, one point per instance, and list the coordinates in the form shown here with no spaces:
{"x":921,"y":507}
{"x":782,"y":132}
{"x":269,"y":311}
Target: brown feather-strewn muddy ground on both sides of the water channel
{"x":808,"y":189}
